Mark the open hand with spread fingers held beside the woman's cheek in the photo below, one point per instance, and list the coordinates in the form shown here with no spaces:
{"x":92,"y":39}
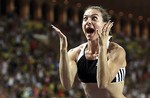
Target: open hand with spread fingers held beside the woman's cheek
{"x":104,"y":33}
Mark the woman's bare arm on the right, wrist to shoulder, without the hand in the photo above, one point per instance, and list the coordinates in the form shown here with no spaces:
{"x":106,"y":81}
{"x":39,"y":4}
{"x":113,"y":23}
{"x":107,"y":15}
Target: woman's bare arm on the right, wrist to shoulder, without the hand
{"x":107,"y":69}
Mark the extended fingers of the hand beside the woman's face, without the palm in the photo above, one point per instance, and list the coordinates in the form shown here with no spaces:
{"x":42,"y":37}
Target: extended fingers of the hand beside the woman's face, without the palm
{"x":106,"y":28}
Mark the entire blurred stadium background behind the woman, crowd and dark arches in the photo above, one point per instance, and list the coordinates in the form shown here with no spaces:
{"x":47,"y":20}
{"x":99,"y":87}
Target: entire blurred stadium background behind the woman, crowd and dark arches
{"x":29,"y":49}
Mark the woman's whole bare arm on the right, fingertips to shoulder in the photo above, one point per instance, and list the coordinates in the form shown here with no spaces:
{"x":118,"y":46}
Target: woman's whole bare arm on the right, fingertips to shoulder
{"x":107,"y":69}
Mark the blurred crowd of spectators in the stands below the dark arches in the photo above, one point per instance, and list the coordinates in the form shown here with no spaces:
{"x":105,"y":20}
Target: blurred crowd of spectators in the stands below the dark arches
{"x":29,"y":68}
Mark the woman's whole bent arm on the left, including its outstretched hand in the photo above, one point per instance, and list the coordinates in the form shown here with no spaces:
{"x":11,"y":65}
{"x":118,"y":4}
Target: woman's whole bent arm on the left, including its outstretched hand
{"x":67,"y":64}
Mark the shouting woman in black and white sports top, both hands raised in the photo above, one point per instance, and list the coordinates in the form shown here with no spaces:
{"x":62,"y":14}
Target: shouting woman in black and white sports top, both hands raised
{"x":99,"y":64}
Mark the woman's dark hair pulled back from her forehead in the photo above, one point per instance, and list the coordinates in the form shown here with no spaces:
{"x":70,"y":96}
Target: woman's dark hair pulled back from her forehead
{"x":105,"y":15}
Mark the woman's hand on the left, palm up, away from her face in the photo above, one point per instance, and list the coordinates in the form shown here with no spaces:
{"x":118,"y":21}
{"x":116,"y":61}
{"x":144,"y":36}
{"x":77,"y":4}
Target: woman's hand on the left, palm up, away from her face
{"x":62,"y":37}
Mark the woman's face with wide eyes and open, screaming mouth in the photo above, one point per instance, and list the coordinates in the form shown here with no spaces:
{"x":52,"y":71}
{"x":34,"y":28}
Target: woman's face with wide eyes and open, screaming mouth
{"x":92,"y":21}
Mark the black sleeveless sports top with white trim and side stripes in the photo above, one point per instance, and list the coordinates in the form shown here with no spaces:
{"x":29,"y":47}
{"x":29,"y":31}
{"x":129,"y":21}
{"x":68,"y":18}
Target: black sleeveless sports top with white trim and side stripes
{"x":87,"y":69}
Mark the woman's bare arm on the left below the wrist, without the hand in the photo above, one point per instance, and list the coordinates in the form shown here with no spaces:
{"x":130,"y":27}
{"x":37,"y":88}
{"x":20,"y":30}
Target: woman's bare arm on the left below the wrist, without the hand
{"x":67,"y":69}
